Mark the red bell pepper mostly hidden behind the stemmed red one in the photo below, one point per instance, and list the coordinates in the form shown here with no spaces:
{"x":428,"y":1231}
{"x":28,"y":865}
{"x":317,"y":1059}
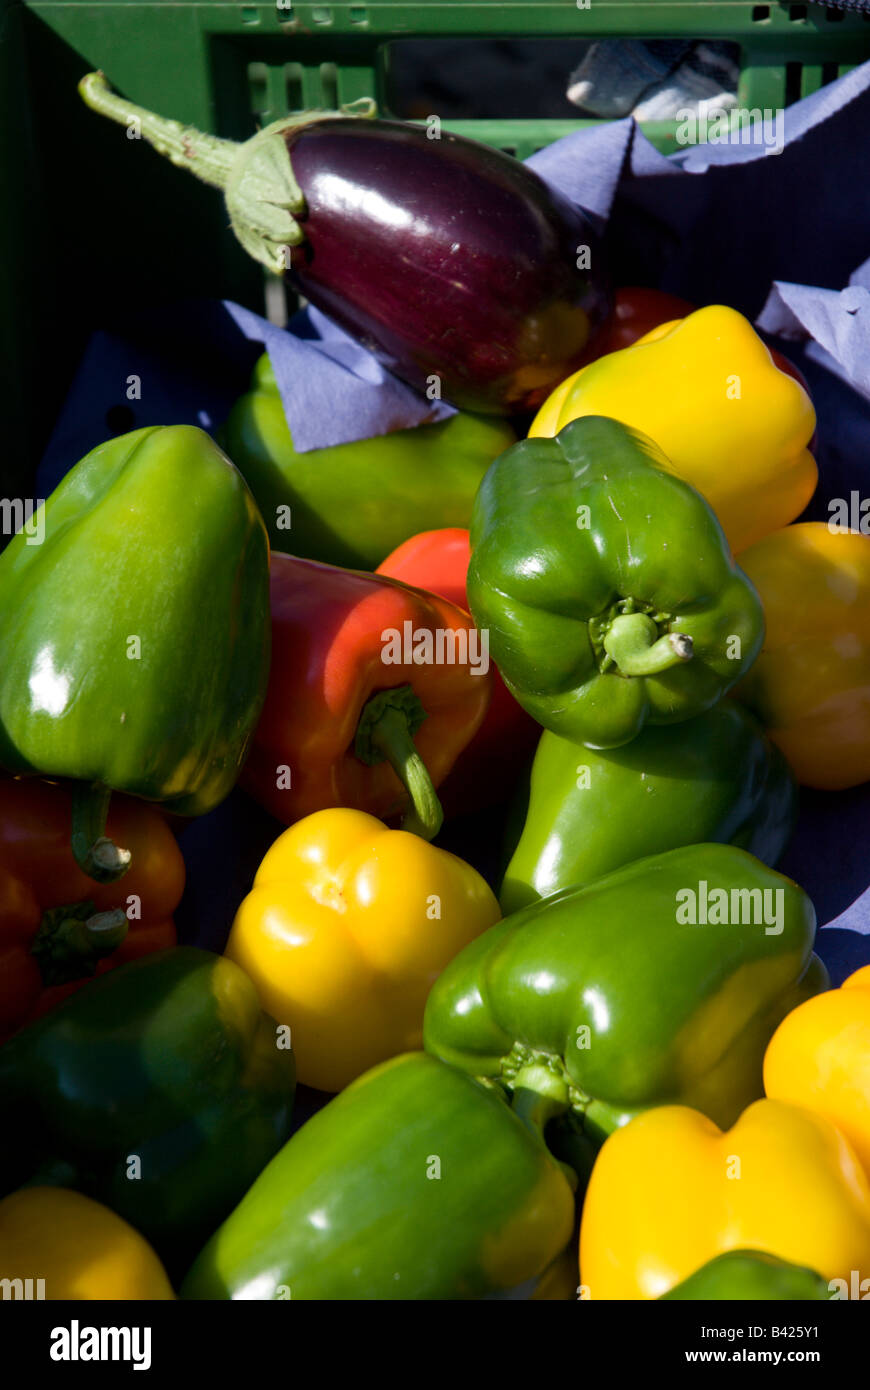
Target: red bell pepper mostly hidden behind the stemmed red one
{"x":487,"y":772}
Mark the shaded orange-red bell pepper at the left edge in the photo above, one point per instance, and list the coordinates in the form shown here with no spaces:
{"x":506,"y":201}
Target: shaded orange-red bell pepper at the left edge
{"x":58,"y":926}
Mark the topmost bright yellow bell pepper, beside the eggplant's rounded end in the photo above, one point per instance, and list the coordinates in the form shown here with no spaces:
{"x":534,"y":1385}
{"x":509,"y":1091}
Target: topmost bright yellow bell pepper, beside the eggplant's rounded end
{"x":709,"y":394}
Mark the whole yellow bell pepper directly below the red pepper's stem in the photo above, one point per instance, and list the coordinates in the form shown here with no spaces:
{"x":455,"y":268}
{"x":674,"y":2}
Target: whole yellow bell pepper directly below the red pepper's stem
{"x":344,"y":933}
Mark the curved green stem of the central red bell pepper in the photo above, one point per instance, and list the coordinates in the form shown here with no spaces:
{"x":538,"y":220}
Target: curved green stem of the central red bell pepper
{"x":386,"y":732}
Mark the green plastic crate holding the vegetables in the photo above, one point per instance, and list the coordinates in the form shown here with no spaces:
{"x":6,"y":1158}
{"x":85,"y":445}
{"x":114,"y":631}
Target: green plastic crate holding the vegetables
{"x":95,"y":224}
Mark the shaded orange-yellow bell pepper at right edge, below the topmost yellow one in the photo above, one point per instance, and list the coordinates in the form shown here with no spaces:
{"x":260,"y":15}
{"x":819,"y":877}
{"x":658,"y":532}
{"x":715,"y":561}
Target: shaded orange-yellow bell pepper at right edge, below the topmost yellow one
{"x":810,"y":686}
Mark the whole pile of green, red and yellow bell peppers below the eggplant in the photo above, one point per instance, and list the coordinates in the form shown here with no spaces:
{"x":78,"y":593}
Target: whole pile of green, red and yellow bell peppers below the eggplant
{"x":608,"y":1065}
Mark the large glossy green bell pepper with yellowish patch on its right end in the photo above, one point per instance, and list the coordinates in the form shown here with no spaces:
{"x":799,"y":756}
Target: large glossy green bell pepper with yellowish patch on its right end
{"x":632,"y":992}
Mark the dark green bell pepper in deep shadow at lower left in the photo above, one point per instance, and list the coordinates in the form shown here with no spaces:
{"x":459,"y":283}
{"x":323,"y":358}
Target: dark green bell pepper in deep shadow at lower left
{"x":161,"y":1090}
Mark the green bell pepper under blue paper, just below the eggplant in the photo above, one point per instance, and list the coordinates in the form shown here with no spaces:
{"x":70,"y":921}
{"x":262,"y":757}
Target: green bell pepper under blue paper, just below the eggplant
{"x":354,"y":504}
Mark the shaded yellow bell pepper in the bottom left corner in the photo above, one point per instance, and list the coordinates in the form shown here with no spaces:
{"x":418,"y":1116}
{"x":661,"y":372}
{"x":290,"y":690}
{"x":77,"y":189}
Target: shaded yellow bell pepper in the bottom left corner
{"x":73,"y":1248}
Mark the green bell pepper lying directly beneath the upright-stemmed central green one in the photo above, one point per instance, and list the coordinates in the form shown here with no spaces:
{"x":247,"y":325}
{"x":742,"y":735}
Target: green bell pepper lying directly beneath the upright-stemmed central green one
{"x":711,"y":779}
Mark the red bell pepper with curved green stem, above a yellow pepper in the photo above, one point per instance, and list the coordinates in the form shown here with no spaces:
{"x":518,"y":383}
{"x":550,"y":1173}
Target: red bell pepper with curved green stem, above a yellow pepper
{"x":375,"y":692}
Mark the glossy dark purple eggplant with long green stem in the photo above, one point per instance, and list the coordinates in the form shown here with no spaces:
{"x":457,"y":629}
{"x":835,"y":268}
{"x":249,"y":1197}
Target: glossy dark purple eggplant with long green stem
{"x":454,"y":263}
